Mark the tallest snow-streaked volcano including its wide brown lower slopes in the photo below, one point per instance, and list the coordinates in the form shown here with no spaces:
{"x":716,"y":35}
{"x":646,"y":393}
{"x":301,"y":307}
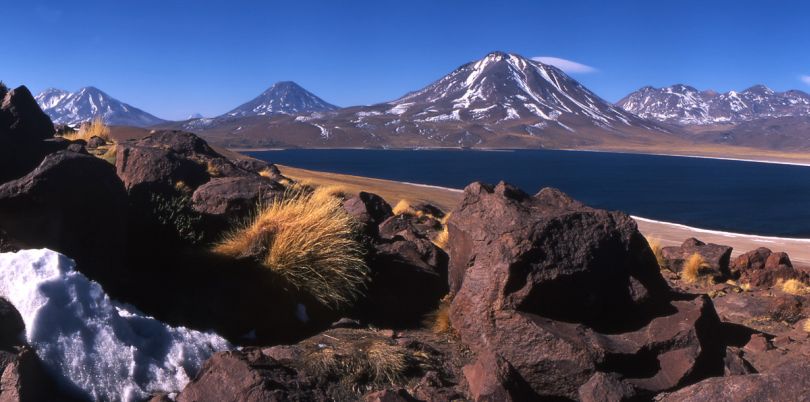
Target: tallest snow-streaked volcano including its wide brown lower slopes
{"x":501,"y":100}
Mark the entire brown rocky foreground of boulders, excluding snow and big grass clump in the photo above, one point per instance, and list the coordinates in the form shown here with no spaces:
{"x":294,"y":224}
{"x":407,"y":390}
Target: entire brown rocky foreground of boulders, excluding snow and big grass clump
{"x":531,"y":297}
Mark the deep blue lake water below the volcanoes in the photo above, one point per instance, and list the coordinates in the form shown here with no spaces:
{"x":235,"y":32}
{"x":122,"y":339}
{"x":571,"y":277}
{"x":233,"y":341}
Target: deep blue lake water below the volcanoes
{"x":731,"y":196}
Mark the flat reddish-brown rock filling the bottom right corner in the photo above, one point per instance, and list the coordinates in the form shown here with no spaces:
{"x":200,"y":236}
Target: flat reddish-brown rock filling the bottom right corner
{"x":787,"y":383}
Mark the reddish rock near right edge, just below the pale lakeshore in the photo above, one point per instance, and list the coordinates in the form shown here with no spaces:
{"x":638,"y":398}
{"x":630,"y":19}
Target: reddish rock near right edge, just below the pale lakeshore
{"x":763,"y":268}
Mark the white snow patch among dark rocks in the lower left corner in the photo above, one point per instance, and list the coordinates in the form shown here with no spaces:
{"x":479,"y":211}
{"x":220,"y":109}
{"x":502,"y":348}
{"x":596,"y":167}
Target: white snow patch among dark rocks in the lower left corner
{"x":111,"y":351}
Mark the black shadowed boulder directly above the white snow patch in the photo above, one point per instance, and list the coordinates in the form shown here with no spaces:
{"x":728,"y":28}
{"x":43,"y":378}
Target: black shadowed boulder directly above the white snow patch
{"x":72,"y":203}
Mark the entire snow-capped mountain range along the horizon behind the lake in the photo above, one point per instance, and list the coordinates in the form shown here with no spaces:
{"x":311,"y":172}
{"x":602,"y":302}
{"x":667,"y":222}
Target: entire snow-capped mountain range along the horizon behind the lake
{"x":502,"y":100}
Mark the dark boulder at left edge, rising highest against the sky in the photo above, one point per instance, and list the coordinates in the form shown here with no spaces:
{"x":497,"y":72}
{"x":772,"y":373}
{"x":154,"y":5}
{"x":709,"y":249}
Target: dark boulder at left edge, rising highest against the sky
{"x":24,"y":129}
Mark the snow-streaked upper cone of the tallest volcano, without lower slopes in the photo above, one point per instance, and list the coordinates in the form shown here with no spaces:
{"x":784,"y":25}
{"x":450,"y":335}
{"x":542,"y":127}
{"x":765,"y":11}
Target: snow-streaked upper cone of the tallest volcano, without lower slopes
{"x":505,"y":86}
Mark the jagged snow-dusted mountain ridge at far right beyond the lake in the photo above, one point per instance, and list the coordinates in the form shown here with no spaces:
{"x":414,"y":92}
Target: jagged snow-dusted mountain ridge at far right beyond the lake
{"x":682,"y":104}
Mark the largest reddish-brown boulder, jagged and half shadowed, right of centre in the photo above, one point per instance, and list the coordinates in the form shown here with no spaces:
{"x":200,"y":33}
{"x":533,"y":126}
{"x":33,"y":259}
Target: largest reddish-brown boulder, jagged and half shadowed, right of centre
{"x":562,"y":291}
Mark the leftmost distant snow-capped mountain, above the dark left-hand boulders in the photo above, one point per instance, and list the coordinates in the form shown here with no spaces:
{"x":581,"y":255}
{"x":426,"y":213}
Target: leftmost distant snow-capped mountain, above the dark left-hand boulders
{"x":88,"y":103}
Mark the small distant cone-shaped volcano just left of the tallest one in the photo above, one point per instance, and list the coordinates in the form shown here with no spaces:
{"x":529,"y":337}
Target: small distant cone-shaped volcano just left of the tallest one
{"x":285,"y":97}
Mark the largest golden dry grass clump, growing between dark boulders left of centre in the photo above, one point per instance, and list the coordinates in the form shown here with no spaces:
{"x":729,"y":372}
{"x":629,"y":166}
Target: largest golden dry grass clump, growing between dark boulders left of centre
{"x":307,"y":240}
